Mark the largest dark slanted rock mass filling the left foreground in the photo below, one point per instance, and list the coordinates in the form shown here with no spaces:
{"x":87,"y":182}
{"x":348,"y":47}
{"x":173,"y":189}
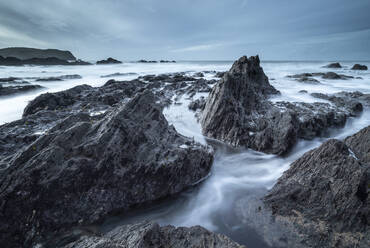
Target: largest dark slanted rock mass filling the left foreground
{"x":88,"y":167}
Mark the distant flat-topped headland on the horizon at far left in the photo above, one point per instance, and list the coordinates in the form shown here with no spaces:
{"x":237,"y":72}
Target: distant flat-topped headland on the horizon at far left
{"x":24,"y":53}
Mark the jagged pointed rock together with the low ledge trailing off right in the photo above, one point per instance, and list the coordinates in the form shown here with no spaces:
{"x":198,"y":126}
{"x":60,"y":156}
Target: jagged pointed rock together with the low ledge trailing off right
{"x":238,"y":112}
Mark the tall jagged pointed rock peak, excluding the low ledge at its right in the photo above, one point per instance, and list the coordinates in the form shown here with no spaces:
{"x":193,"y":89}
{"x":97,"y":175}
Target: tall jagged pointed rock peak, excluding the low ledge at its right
{"x":238,"y":113}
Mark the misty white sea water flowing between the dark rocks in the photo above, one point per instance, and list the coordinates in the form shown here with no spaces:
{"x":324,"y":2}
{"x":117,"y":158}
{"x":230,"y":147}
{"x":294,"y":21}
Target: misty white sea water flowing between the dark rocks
{"x":236,"y":173}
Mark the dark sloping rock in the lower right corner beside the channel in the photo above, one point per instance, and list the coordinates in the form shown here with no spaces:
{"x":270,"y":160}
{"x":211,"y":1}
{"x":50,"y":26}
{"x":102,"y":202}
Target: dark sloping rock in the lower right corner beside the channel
{"x":323,"y":196}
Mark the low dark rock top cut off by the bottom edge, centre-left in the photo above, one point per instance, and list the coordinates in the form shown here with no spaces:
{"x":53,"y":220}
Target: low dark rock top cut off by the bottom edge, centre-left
{"x":151,"y":235}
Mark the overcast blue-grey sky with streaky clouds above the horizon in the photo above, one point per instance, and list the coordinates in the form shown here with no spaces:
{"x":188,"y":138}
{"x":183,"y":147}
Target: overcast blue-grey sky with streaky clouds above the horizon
{"x":191,"y":29}
